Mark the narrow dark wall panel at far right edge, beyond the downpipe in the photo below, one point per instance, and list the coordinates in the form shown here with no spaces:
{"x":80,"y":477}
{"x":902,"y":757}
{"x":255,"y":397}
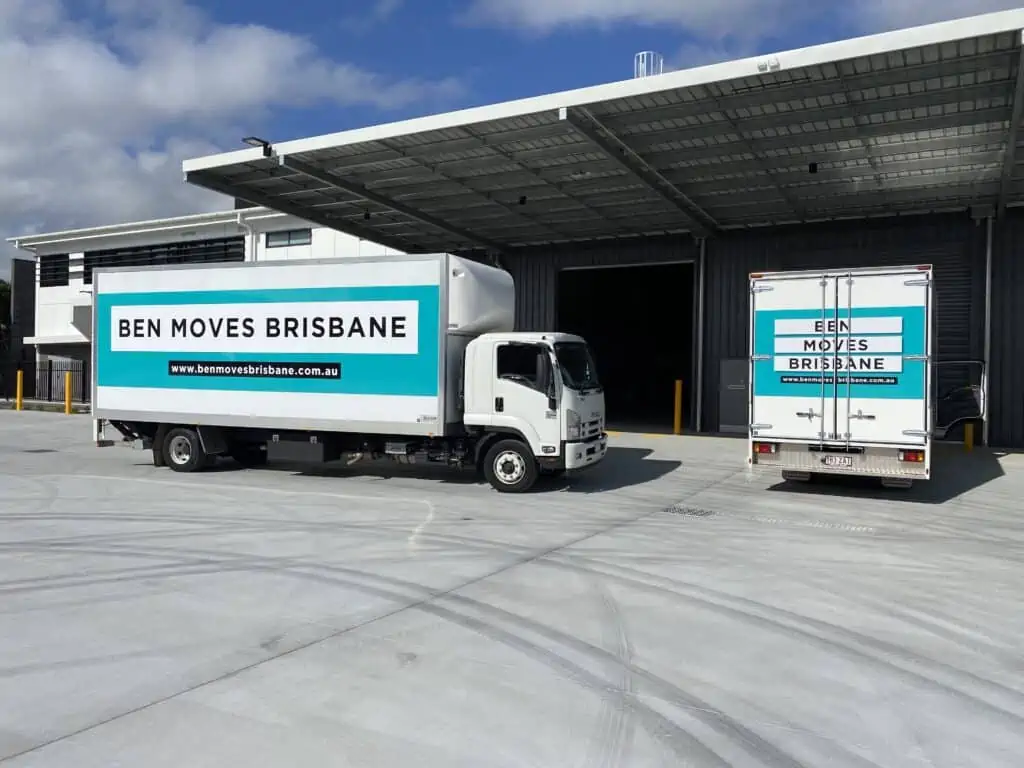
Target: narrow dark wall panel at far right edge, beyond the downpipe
{"x":1007,"y":372}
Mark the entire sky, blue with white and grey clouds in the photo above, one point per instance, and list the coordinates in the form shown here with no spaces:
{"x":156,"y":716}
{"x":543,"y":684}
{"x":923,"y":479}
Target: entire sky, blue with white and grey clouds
{"x":103,"y":100}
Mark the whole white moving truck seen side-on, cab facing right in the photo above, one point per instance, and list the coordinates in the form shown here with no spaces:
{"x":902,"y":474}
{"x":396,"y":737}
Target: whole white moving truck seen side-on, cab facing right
{"x":410,"y":358}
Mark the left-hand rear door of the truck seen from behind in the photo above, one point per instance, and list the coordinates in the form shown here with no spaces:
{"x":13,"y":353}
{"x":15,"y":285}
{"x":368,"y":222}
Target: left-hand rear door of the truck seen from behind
{"x":793,"y":394}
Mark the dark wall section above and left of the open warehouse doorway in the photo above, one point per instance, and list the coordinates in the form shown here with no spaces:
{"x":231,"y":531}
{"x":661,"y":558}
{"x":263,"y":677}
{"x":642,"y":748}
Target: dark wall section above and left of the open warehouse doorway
{"x":536,"y":271}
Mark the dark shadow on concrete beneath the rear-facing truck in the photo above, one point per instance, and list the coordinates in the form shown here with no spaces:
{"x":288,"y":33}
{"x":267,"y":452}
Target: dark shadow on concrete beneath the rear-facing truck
{"x":954,"y":473}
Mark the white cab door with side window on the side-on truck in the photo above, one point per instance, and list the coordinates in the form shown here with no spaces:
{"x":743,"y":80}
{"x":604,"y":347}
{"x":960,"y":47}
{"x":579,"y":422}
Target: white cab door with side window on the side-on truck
{"x":521,"y":391}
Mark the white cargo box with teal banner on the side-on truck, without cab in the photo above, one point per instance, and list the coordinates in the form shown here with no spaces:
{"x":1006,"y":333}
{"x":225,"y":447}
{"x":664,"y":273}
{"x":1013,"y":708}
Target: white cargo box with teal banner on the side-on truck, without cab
{"x":354,"y":346}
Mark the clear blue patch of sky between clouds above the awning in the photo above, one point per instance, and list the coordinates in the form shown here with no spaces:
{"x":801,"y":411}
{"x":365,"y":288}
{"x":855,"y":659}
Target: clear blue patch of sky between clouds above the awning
{"x":494,"y":61}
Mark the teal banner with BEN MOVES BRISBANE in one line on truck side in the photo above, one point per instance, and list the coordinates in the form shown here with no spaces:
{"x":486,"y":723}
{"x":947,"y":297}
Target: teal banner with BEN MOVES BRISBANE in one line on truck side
{"x":360,"y":340}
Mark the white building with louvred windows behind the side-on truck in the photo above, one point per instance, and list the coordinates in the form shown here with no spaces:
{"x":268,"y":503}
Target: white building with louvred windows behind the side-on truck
{"x":65,"y":262}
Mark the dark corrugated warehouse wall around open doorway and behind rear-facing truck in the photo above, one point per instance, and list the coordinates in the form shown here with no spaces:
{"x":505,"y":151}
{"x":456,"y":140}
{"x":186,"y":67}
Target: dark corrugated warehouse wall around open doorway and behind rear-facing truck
{"x":953,"y":243}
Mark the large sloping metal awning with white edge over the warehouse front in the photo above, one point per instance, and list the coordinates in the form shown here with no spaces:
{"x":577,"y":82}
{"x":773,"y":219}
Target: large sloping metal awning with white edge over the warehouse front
{"x":916,"y":120}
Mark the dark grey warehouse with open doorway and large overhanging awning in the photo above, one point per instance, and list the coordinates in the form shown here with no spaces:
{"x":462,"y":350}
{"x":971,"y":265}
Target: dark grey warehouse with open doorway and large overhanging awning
{"x":634,"y":212}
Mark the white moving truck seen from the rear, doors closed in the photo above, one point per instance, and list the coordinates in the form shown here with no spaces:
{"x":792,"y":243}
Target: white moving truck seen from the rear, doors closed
{"x":841,"y":373}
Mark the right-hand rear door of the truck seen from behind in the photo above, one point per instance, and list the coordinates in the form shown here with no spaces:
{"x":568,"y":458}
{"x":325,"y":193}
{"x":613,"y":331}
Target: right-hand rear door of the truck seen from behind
{"x":884,"y":342}
